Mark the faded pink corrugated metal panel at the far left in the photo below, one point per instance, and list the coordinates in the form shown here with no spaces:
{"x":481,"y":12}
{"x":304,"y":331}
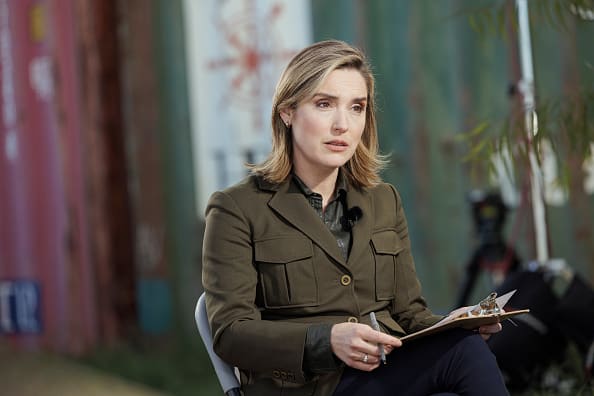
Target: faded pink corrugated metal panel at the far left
{"x":42,"y":210}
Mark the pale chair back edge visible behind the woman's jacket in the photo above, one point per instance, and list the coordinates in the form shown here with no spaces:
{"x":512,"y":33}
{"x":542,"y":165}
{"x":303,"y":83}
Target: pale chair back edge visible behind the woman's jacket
{"x":225,"y":373}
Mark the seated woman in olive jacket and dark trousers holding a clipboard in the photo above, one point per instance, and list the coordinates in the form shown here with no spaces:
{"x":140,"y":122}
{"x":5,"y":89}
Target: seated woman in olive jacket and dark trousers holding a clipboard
{"x":298,"y":255}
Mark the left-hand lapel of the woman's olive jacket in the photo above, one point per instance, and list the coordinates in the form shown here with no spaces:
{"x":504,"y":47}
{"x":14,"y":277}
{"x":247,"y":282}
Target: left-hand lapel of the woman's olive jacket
{"x":291,"y":204}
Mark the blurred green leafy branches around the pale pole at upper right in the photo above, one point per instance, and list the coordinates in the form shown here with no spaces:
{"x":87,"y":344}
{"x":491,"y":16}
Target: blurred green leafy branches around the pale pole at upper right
{"x":565,"y":123}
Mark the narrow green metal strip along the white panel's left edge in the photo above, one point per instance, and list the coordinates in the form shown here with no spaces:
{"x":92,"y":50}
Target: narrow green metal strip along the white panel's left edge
{"x":184,"y":232}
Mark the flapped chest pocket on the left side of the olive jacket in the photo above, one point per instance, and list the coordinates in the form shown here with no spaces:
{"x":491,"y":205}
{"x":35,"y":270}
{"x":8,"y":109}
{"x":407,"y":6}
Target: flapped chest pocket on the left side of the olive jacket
{"x":287,"y":272}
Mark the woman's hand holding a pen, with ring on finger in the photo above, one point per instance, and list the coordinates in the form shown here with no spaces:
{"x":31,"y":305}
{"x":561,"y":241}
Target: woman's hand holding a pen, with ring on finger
{"x":356,"y":345}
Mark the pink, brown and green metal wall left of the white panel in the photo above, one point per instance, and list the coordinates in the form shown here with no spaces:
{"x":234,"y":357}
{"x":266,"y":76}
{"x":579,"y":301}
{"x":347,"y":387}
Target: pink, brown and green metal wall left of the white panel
{"x":99,"y":238}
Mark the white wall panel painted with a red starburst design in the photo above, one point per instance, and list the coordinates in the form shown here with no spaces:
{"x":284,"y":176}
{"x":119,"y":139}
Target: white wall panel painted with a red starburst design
{"x":235,"y":53}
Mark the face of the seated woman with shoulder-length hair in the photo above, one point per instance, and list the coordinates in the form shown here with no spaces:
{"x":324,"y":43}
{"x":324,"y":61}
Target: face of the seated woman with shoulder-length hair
{"x":327,"y":128}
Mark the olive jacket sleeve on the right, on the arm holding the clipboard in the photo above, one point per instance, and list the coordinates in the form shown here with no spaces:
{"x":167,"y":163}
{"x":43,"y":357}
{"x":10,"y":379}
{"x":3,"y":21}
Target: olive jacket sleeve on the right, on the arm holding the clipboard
{"x":410,"y":308}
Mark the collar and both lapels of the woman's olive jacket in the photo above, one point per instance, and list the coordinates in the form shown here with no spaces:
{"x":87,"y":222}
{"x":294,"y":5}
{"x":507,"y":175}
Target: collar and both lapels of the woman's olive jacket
{"x":290,"y":203}
